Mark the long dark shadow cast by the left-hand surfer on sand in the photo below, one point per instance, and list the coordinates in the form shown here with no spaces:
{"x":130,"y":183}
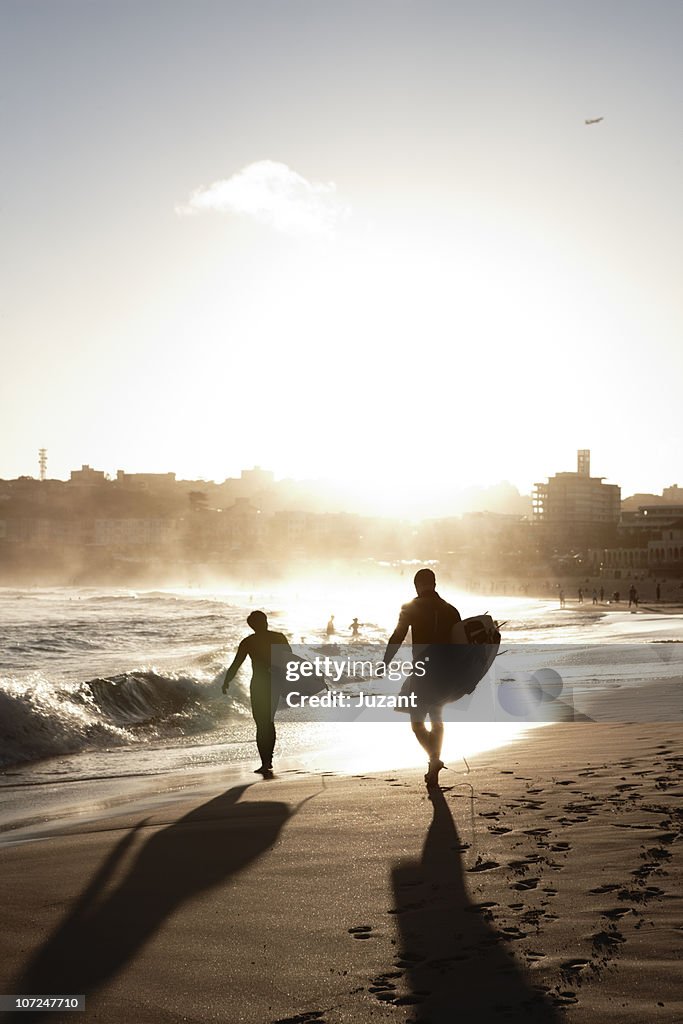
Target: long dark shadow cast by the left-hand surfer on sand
{"x":110,"y":924}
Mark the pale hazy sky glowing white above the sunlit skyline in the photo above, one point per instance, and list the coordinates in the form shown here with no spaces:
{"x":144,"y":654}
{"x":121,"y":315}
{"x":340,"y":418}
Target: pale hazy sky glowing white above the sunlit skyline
{"x":369,"y":242}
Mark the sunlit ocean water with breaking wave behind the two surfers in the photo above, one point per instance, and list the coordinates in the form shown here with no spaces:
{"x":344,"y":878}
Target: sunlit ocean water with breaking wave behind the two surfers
{"x":99,"y":684}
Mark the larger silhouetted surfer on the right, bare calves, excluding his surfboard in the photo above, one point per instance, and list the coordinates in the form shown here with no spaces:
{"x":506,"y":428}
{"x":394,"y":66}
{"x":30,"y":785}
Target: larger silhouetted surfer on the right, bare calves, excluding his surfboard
{"x":431,"y":620}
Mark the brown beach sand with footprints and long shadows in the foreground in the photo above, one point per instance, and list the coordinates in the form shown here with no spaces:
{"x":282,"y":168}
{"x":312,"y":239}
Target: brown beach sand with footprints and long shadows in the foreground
{"x":549,"y":891}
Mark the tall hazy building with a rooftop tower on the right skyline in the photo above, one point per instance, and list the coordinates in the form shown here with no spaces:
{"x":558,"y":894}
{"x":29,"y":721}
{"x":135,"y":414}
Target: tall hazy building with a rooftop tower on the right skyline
{"x":577,"y":499}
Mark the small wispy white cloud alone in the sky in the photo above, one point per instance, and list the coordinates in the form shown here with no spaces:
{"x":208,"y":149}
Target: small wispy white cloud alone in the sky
{"x":273,"y":194}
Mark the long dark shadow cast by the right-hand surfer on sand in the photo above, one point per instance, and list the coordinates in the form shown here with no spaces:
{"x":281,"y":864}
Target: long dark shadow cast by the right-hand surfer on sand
{"x":457,"y":965}
